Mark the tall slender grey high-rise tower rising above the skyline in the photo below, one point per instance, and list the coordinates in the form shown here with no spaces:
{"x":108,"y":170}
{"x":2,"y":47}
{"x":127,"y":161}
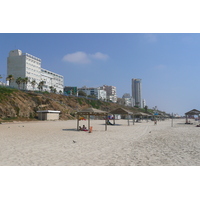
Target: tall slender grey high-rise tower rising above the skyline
{"x":137,"y":92}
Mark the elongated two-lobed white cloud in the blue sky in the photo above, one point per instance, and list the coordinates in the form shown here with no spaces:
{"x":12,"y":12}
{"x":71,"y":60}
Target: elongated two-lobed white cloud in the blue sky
{"x":84,"y":58}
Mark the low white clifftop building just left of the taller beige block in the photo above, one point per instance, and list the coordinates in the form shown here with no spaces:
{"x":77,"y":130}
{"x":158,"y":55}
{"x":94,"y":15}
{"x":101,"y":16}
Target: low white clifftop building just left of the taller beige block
{"x":100,"y":94}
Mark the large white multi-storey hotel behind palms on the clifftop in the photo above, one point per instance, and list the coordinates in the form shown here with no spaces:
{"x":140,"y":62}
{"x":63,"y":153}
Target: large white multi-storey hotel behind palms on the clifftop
{"x":25,"y":65}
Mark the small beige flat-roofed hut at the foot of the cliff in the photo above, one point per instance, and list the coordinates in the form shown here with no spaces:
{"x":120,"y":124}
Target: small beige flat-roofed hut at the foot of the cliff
{"x":48,"y":115}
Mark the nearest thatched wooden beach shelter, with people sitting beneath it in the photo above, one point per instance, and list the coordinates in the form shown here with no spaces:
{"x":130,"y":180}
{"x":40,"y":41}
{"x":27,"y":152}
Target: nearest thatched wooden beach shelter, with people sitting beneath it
{"x":91,"y":111}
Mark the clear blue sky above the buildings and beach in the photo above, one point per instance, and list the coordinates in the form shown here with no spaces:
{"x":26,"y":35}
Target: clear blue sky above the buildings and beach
{"x":168,"y":64}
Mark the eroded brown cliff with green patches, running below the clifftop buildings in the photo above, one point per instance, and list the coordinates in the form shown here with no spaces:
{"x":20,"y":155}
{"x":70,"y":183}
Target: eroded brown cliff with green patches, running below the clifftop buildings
{"x":15,"y":103}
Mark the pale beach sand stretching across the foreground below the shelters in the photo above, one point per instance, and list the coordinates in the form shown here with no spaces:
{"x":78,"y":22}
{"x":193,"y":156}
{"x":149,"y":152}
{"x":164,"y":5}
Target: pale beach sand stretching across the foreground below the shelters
{"x":58,"y":143}
